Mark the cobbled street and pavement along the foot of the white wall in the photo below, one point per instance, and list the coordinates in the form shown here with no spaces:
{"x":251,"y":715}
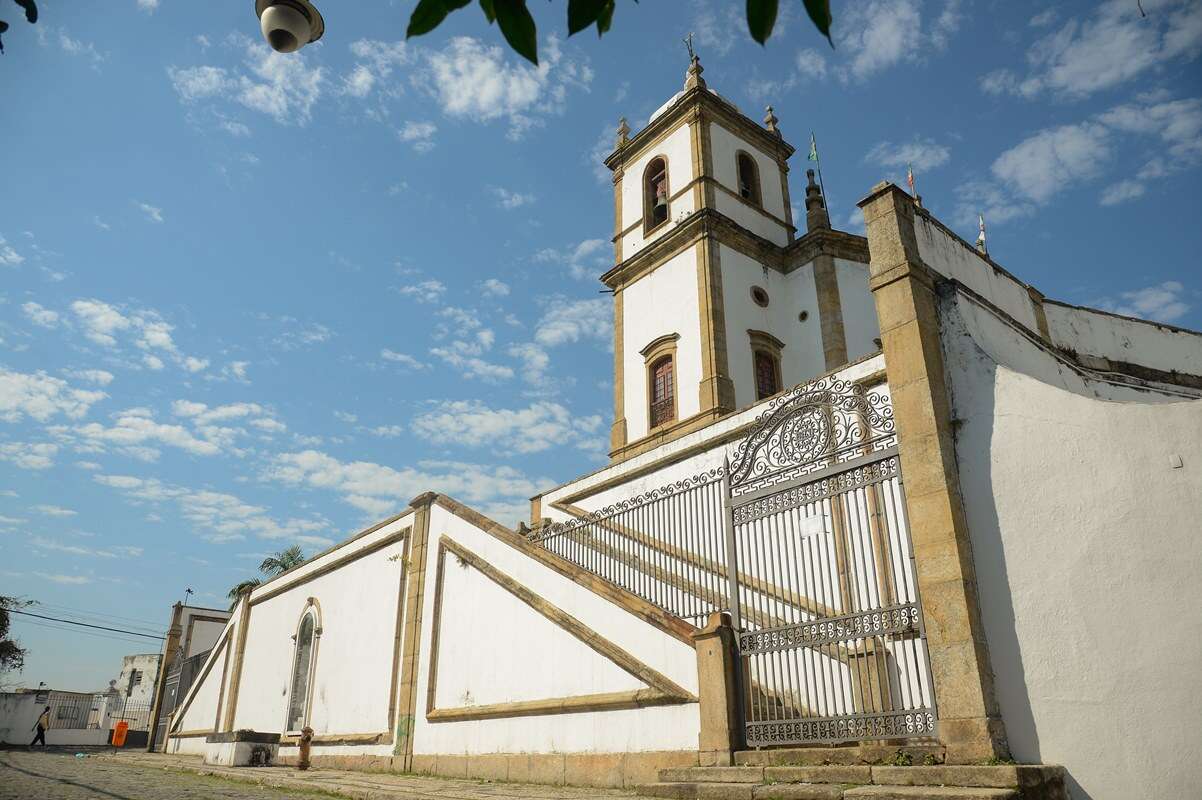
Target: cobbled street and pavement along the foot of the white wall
{"x":59,"y":775}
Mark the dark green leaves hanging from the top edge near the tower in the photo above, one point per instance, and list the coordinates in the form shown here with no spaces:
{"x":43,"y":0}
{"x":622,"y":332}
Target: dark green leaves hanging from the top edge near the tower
{"x":519,"y":27}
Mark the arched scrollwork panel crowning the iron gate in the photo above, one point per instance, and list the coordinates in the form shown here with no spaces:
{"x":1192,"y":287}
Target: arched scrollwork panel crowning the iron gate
{"x":810,"y":427}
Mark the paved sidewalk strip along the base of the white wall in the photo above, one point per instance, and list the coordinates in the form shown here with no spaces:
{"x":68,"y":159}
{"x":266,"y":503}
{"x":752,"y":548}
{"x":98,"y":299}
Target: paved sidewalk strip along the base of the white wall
{"x":364,"y":786}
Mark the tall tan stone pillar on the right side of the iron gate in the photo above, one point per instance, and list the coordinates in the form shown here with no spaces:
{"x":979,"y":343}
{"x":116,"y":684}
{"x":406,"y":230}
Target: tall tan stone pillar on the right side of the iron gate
{"x":907,"y":307}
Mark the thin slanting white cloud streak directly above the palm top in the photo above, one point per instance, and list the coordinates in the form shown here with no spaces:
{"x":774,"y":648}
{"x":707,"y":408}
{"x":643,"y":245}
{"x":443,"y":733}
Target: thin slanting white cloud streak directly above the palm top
{"x":221,"y":517}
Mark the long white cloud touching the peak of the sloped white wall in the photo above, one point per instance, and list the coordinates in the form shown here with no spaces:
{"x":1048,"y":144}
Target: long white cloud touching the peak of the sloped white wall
{"x":497,"y":491}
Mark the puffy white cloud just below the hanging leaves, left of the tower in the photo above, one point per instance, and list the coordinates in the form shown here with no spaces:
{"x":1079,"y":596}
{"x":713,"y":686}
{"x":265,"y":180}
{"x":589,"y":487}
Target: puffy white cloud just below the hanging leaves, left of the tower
{"x":475,"y":81}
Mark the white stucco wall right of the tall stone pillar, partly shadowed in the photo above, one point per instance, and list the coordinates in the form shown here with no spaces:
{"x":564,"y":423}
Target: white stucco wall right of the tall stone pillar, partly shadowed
{"x":1086,"y":544}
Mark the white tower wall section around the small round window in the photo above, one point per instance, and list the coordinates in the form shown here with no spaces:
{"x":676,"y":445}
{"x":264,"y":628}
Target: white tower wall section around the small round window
{"x":788,"y":297}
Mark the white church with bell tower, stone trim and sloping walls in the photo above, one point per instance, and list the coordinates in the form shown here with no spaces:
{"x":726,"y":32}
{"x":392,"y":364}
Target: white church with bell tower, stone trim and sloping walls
{"x":935,"y":542}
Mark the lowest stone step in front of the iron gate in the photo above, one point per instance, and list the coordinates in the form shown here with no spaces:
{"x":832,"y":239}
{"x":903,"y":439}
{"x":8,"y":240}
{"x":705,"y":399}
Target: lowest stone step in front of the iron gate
{"x":721,"y":791}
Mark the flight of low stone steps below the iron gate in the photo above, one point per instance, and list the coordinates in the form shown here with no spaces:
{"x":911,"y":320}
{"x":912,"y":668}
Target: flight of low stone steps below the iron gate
{"x":776,"y":778}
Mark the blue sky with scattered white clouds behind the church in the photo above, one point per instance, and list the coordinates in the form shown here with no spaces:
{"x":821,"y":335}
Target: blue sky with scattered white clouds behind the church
{"x":251,"y":301}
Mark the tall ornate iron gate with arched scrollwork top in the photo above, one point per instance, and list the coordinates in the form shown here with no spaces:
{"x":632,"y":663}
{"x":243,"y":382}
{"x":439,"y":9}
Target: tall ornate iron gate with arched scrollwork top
{"x":816,"y":511}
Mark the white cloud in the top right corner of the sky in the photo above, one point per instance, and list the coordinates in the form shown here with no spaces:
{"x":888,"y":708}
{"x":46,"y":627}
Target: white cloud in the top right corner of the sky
{"x":1111,"y":47}
